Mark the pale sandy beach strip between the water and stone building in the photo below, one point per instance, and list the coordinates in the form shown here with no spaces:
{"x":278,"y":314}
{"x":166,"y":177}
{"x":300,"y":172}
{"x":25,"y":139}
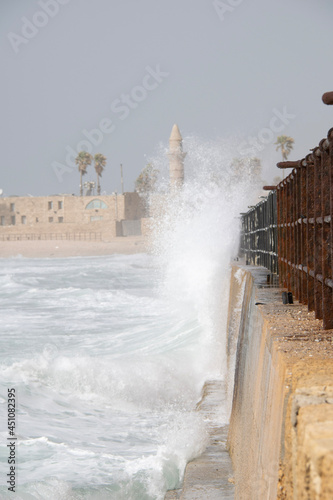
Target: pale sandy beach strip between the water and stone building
{"x":64,"y":248}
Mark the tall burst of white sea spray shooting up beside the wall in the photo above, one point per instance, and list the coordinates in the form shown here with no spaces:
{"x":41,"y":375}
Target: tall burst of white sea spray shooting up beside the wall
{"x":196,"y":234}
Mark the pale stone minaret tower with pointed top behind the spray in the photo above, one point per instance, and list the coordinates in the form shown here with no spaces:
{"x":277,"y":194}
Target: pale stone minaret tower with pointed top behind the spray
{"x":176,"y":159}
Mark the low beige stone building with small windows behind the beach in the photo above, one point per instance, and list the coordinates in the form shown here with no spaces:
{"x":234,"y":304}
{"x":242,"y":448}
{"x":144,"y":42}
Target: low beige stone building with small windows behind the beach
{"x":70,"y":217}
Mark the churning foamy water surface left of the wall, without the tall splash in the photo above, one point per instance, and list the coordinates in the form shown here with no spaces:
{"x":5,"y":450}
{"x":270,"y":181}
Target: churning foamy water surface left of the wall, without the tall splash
{"x":106,"y":378}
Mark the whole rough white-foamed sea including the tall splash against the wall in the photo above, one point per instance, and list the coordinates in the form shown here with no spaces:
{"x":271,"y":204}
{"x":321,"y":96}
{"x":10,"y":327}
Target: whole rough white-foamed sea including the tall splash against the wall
{"x":103,"y":359}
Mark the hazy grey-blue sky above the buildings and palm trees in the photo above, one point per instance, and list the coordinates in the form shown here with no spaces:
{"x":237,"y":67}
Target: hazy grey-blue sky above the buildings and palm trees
{"x":120,"y":73}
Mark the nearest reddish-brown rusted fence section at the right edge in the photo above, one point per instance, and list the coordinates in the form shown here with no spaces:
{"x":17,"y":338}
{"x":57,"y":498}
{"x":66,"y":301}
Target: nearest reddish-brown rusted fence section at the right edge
{"x":305,"y":231}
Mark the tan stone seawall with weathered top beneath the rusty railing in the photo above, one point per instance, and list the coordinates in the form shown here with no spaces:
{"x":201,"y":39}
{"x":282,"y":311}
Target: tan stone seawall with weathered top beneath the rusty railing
{"x":281,"y":427}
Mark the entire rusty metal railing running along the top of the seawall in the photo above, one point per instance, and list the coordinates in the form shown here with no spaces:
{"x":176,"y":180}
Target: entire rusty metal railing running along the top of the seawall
{"x":304,"y":223}
